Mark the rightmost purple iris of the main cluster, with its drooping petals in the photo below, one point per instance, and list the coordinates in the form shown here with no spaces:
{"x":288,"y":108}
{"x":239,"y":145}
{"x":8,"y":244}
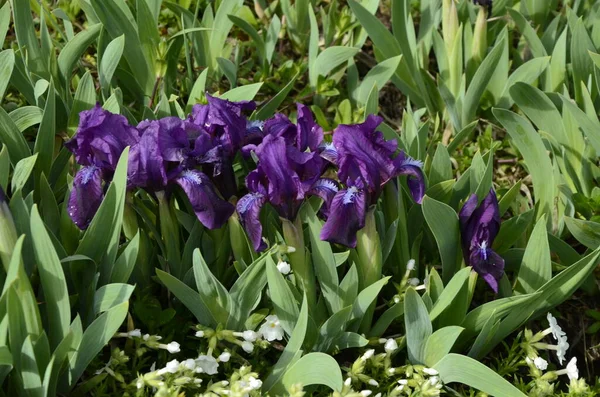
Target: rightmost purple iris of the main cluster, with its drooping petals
{"x":366,"y":162}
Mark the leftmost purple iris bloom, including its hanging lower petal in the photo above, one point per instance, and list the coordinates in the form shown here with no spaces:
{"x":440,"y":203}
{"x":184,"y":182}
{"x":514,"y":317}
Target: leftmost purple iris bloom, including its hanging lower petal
{"x":100,"y":139}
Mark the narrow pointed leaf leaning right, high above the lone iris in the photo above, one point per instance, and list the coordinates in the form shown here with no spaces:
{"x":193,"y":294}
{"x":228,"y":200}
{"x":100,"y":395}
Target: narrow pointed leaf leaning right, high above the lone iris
{"x":480,"y":81}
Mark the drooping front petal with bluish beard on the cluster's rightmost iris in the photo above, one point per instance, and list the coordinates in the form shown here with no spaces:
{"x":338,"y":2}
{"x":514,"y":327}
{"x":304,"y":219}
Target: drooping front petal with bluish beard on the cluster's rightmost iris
{"x":347,"y":214}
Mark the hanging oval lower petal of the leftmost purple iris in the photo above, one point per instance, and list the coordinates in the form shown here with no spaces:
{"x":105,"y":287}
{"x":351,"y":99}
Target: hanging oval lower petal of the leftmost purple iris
{"x":86,"y":196}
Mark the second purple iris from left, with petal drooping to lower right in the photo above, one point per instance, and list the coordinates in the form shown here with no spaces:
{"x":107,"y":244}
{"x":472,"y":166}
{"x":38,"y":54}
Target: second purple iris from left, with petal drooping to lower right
{"x":162,"y":157}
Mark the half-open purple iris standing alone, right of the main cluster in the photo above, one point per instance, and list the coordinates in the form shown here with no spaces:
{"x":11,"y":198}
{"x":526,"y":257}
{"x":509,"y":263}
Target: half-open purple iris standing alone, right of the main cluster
{"x":479,"y":225}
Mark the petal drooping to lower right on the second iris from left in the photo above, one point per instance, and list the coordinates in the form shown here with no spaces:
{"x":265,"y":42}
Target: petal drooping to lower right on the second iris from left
{"x":212,"y":211}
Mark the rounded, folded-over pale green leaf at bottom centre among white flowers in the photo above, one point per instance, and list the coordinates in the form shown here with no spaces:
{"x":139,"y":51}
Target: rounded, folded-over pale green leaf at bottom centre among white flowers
{"x":314,"y":369}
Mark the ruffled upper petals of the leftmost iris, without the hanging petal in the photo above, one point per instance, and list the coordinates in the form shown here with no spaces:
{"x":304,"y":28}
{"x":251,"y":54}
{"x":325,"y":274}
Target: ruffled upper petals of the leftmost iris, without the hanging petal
{"x":101,"y":138}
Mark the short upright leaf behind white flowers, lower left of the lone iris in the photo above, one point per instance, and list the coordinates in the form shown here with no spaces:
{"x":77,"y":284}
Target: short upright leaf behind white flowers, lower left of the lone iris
{"x":418,"y":326}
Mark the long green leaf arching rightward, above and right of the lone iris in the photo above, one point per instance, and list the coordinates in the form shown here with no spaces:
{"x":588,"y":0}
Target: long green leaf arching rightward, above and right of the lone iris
{"x":538,"y":163}
